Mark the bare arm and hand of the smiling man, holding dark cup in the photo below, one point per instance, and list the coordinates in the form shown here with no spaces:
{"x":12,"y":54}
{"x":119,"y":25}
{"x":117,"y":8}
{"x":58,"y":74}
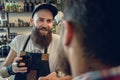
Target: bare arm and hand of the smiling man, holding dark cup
{"x":11,"y":60}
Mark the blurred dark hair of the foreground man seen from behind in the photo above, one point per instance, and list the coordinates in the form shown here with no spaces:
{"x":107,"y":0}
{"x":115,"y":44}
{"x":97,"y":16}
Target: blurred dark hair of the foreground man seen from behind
{"x":99,"y":22}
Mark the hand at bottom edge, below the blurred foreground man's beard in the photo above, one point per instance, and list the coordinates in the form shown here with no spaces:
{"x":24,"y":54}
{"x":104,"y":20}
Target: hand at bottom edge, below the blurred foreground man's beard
{"x":53,"y":76}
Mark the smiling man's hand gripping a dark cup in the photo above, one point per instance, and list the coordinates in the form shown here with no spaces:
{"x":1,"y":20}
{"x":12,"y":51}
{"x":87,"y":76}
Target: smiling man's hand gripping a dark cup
{"x":17,"y":69}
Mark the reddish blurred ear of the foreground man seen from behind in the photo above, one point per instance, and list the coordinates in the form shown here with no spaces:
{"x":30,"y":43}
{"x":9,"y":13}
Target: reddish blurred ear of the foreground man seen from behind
{"x":69,"y":33}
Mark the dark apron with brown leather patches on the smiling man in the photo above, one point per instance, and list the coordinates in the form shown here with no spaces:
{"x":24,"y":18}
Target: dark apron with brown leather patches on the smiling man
{"x":38,"y":65}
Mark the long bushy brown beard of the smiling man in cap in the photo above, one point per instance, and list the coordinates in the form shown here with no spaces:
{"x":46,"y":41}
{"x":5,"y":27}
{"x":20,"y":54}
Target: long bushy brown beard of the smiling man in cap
{"x":39,"y":40}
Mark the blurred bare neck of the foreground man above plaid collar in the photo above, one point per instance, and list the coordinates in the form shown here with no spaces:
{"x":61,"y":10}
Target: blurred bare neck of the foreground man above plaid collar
{"x":79,"y":65}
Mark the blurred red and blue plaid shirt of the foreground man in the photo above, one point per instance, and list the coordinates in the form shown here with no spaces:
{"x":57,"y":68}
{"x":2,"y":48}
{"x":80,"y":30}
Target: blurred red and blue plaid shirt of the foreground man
{"x":107,"y":74}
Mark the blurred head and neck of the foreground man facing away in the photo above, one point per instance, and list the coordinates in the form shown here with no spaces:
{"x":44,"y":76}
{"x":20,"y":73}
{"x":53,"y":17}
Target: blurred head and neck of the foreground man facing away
{"x":91,"y":35}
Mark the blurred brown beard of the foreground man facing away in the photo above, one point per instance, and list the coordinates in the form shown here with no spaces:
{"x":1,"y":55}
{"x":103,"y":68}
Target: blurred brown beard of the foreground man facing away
{"x":63,"y":63}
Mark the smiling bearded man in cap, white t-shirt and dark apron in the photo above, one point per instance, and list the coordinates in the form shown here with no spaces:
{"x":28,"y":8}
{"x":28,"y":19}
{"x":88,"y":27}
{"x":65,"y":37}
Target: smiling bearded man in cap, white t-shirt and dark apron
{"x":41,"y":40}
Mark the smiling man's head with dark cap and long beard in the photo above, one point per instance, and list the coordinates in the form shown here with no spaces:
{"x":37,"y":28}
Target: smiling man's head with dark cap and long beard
{"x":42,"y":20}
